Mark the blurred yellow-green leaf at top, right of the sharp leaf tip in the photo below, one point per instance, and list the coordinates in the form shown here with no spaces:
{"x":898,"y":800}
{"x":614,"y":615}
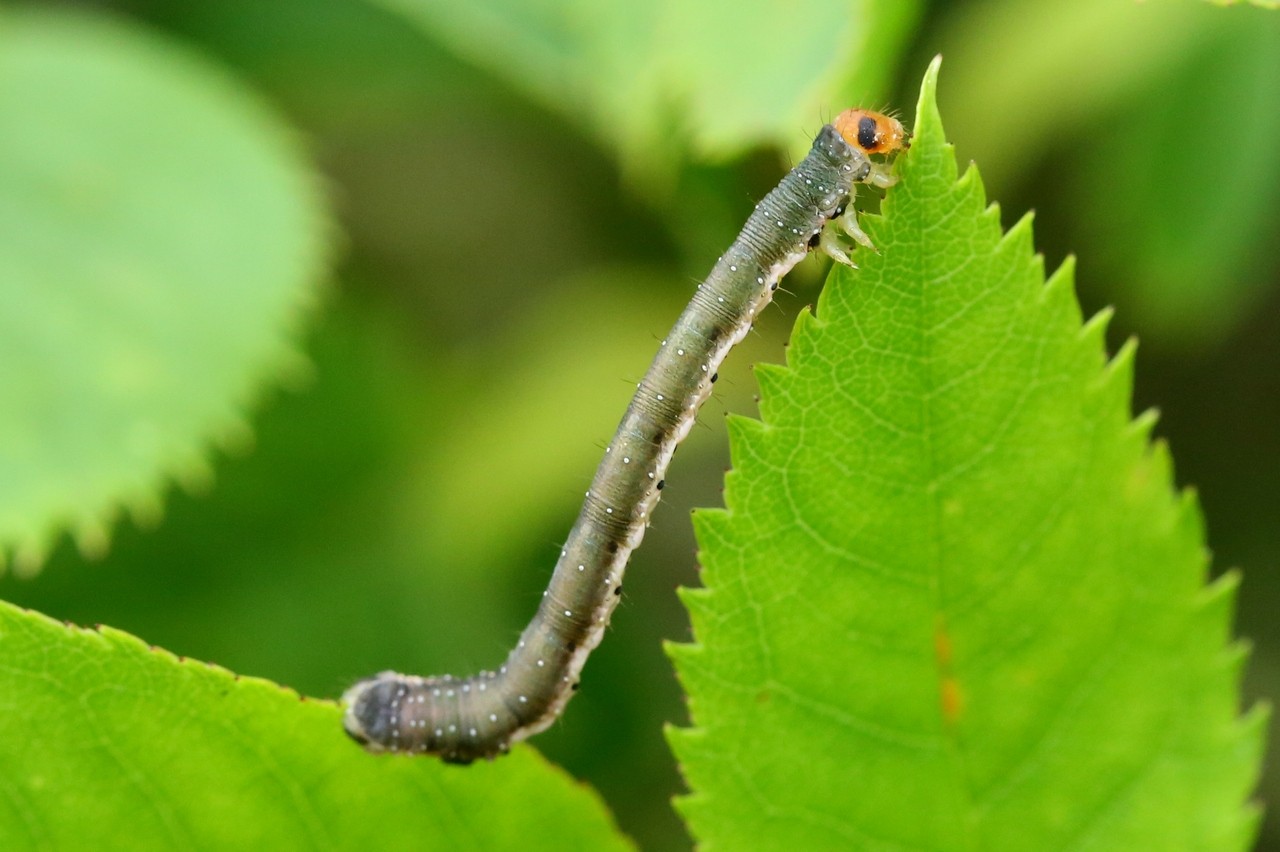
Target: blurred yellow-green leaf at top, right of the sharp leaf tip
{"x":1030,"y":77}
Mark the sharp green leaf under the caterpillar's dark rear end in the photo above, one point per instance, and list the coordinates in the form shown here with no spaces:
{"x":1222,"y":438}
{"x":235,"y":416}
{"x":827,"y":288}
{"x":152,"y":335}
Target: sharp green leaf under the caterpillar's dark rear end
{"x":106,"y":739}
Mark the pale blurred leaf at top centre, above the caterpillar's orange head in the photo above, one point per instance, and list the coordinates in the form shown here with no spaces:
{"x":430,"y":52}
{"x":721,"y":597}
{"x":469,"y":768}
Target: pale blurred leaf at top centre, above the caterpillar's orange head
{"x":737,"y":75}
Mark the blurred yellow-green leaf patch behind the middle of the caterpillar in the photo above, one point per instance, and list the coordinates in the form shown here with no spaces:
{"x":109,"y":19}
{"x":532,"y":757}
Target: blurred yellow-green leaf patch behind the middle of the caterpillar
{"x":532,"y":428}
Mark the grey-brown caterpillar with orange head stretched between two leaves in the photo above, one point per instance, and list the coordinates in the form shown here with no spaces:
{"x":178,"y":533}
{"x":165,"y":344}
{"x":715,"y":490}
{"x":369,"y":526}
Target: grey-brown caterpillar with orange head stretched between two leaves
{"x":461,"y":720}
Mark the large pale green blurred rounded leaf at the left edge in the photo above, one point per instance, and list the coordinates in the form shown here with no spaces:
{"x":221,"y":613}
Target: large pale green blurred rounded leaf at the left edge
{"x":161,"y":239}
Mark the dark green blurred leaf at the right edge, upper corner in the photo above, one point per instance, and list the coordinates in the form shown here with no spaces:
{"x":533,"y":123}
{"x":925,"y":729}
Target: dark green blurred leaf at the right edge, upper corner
{"x":1194,"y":186}
